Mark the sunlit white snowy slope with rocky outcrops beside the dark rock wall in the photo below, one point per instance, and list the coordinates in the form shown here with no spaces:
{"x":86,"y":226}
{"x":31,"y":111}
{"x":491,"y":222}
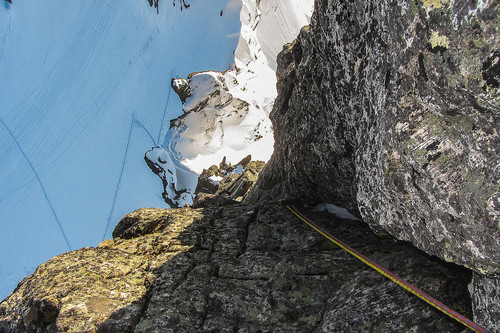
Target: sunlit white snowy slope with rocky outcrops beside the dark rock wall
{"x":227,"y":114}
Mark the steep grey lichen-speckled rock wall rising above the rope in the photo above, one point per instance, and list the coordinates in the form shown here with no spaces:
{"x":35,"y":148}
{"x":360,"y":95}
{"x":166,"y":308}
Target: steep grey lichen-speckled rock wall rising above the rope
{"x":391,"y":109}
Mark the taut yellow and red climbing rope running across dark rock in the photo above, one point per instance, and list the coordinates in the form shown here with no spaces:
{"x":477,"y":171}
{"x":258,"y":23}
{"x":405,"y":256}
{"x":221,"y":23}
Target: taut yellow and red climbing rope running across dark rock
{"x":406,"y":285}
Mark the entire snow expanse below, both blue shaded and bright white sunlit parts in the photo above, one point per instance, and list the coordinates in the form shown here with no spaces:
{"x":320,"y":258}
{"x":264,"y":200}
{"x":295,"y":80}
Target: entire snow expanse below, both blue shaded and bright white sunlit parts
{"x":86,"y":93}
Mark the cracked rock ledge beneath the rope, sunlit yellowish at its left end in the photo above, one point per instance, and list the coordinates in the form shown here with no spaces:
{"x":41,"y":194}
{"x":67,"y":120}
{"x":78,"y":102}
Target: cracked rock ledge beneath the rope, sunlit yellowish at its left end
{"x":236,"y":268}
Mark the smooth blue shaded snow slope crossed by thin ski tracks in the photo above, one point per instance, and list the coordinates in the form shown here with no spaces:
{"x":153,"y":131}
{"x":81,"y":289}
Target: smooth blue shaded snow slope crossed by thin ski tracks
{"x":84,"y":93}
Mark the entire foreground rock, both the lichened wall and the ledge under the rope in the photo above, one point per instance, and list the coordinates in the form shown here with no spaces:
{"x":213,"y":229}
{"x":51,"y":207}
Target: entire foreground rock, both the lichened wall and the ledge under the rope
{"x":255,"y":267}
